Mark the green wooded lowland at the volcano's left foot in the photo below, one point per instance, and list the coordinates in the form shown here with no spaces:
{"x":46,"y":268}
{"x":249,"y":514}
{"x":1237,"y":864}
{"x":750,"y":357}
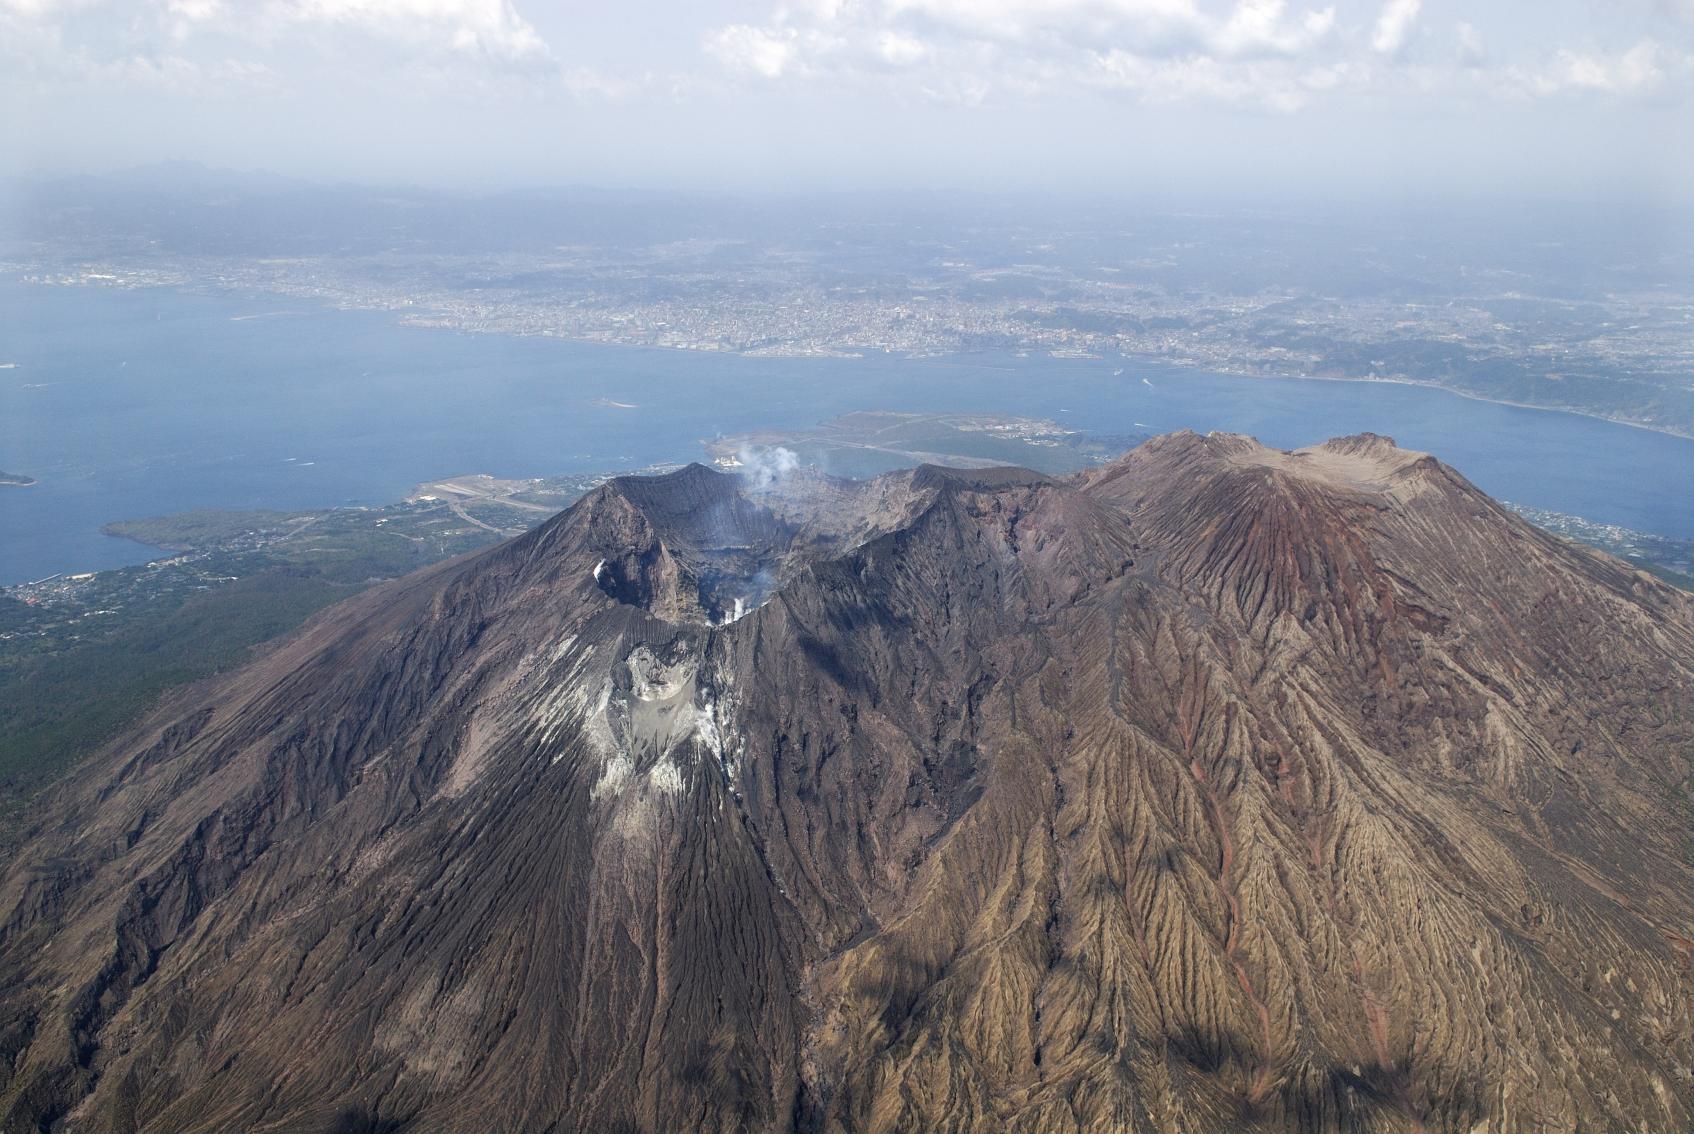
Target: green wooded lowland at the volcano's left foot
{"x":86,"y":659}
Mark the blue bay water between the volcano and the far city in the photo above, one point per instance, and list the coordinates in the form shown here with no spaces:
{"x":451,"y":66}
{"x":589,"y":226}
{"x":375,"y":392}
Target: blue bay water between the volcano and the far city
{"x":143,"y":403}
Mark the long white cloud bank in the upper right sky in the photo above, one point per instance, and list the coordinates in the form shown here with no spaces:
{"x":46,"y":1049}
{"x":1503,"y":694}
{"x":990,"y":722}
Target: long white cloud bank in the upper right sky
{"x":1268,"y":55}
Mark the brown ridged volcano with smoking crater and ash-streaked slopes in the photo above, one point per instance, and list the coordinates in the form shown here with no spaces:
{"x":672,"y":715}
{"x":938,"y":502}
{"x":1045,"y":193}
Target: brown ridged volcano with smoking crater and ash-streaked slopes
{"x":1217,"y":789}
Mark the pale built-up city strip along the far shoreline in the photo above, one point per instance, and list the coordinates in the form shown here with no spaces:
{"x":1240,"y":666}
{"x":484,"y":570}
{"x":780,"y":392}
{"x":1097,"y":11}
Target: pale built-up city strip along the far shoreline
{"x":1629,"y":359}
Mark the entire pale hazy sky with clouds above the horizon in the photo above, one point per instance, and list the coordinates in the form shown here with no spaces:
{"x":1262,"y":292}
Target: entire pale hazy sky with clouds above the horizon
{"x":1353,"y":97}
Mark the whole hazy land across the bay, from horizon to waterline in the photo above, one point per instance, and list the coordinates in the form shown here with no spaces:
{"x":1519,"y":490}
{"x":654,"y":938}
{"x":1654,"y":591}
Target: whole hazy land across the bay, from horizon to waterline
{"x":1602,"y":328}
